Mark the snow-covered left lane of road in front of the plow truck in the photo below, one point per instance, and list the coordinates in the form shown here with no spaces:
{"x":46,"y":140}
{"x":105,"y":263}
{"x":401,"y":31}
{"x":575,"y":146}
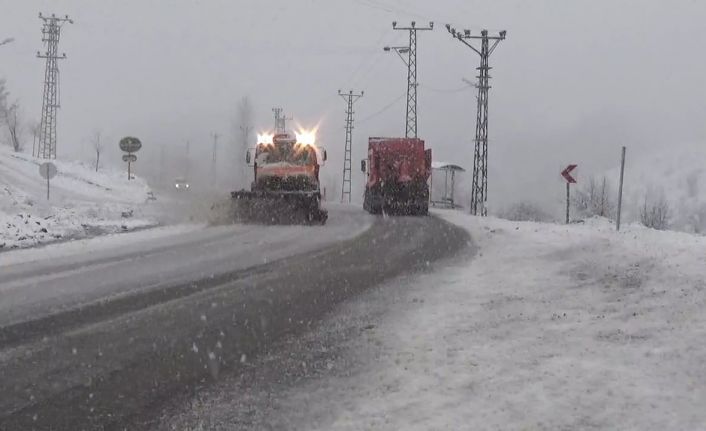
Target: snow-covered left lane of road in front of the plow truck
{"x":38,"y":282}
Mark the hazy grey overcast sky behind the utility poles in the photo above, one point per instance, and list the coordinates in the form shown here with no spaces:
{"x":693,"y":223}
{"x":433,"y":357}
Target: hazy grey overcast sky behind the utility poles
{"x":573,"y":82}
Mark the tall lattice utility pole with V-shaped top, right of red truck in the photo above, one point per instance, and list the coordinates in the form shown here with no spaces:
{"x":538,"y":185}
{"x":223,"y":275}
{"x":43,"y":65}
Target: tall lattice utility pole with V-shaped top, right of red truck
{"x":479,"y":189}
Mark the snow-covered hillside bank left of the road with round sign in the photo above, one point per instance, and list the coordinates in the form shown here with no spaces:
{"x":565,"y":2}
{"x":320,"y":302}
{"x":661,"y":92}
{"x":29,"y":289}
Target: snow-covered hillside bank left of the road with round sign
{"x":82,"y":202}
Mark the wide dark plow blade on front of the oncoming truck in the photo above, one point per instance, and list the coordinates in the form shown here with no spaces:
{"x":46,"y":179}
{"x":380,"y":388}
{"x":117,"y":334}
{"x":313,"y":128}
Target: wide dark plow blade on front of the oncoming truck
{"x":278,"y":207}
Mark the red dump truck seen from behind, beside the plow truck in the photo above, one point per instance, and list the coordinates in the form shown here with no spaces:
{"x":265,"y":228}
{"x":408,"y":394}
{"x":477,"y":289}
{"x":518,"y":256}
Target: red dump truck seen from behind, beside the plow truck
{"x":398,"y":170}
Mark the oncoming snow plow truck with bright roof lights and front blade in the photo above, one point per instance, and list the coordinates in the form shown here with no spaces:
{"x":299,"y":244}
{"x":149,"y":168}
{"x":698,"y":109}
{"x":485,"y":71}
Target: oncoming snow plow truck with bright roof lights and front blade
{"x":285,"y":188}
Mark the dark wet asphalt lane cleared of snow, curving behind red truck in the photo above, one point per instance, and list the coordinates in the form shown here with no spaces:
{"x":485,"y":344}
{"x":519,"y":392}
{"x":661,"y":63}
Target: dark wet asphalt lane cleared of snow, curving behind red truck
{"x":104,"y":365}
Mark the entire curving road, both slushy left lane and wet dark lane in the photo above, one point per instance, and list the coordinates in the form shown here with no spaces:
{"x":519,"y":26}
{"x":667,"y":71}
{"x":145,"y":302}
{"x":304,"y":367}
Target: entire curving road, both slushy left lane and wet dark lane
{"x":116,"y":335}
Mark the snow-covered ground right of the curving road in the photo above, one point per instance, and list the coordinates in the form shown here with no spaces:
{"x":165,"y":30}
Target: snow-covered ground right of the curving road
{"x":546,"y":327}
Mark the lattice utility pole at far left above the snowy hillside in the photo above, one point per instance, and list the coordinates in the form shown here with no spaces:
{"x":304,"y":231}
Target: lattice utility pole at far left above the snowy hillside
{"x":51,"y":30}
